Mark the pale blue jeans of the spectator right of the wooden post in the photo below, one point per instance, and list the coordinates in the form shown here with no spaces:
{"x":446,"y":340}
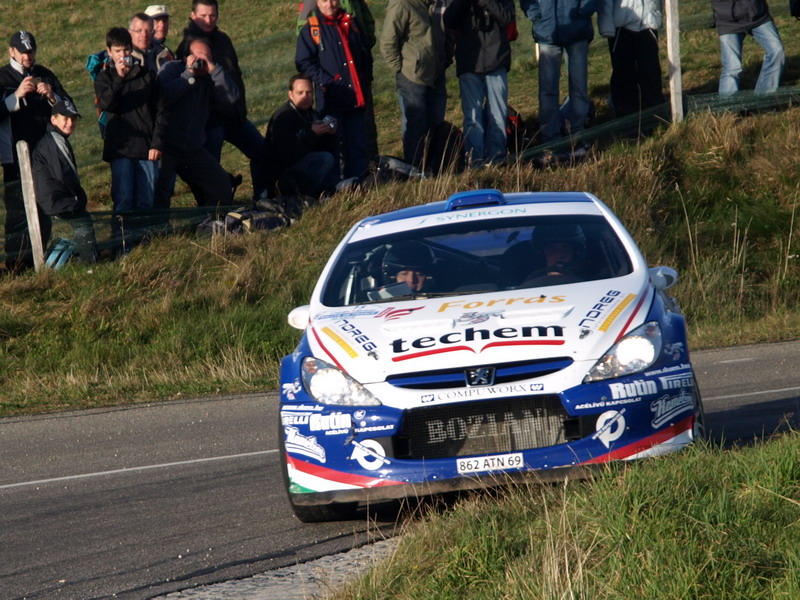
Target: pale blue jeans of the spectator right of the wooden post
{"x":769,"y":78}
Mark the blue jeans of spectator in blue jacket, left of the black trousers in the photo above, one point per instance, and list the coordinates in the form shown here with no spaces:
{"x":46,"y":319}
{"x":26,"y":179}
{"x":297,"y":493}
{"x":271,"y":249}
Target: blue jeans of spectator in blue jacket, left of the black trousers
{"x":550,"y":58}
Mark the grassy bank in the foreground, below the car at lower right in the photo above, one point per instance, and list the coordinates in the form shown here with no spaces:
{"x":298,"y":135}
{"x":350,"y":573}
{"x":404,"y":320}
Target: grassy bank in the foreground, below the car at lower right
{"x":700,"y":524}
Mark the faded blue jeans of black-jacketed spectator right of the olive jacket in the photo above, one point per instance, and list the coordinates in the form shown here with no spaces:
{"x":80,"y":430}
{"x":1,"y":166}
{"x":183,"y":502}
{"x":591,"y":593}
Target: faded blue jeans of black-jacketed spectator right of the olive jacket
{"x":484,"y":126}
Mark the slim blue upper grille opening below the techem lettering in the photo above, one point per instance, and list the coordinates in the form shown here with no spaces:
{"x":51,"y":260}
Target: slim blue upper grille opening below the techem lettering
{"x":504,"y":373}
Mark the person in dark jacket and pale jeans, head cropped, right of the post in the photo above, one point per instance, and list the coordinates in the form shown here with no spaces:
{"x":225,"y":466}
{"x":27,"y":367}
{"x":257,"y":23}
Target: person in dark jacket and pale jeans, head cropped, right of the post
{"x":734,"y":20}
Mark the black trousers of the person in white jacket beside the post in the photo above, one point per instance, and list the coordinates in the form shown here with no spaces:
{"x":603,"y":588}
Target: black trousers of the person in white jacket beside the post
{"x":636,"y":71}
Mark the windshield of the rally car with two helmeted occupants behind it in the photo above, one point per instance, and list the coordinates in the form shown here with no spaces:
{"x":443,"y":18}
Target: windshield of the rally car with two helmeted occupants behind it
{"x":473,"y":257}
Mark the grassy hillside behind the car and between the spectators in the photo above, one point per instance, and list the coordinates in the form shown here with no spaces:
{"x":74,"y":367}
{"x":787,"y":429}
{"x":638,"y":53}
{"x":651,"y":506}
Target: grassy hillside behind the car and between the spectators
{"x":714,"y":197}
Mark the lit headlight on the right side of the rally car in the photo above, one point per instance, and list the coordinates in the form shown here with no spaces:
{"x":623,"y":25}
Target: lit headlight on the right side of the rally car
{"x":634,"y":353}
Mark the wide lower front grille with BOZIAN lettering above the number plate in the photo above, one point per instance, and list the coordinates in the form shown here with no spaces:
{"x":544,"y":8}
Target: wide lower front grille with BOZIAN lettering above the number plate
{"x":472,"y":428}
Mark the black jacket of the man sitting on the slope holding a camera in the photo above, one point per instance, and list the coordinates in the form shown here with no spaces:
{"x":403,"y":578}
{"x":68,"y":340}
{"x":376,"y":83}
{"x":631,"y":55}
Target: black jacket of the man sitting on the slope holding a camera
{"x":289,"y":138}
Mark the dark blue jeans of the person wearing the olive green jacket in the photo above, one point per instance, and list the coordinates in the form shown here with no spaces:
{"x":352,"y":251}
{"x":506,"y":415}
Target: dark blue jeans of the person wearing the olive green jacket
{"x":422,"y":108}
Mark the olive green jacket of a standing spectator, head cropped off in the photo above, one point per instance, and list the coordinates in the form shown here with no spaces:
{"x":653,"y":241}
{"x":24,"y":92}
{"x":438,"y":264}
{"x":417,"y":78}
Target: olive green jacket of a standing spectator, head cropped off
{"x":413,"y":41}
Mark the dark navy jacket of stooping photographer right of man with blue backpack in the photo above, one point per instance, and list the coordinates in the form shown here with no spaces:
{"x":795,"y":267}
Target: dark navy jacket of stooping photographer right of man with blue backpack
{"x":187,"y":101}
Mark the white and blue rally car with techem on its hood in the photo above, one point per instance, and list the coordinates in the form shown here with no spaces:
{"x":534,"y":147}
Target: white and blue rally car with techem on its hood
{"x":452,"y":345}
